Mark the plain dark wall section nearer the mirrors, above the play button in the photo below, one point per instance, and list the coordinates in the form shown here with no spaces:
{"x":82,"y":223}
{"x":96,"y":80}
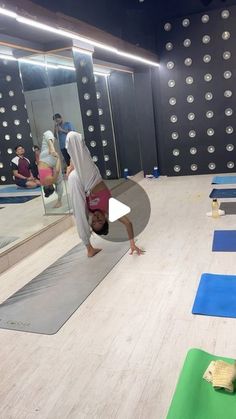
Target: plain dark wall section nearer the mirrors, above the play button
{"x":122,"y":95}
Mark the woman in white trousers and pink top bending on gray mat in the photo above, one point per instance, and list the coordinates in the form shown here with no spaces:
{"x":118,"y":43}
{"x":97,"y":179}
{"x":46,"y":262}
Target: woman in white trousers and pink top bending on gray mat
{"x":89,"y":195}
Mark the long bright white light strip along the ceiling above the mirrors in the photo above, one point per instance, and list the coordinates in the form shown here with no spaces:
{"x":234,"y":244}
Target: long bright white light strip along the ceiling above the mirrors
{"x":71,"y":35}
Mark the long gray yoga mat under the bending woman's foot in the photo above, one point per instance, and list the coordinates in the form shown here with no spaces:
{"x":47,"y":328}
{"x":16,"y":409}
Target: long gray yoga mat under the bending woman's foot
{"x":48,"y":301}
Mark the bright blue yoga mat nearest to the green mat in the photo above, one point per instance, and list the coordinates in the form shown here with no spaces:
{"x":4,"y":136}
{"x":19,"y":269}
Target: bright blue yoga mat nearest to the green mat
{"x":216,"y":296}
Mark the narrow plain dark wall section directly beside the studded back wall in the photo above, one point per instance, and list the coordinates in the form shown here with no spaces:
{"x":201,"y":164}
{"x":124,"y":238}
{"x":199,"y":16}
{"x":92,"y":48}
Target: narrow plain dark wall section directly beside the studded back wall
{"x":145,"y":119}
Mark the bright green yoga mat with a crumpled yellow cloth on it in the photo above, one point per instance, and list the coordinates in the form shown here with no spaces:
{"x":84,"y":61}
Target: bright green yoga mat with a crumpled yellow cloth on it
{"x":194,"y":397}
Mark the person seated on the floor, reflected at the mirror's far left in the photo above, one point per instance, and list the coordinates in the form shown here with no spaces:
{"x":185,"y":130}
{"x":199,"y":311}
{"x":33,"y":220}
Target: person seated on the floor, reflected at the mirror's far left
{"x":22,"y":172}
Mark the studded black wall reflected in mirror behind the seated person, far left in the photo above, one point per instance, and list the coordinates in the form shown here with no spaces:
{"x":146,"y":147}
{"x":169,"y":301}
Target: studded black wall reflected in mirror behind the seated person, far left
{"x":14,"y":124}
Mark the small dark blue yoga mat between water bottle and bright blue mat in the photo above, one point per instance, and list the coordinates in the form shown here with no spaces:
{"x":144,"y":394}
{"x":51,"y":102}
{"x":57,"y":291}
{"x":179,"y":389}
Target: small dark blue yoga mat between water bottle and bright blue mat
{"x":224,"y":241}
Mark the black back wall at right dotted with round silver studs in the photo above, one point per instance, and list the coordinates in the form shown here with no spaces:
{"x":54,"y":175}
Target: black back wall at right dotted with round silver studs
{"x":194,"y":89}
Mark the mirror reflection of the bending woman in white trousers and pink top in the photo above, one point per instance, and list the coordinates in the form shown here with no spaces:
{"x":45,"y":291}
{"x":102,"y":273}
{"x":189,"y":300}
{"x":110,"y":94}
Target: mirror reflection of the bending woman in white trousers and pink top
{"x":49,"y":166}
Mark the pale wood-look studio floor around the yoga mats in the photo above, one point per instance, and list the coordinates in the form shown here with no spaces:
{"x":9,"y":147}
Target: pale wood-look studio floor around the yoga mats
{"x":121,"y":352}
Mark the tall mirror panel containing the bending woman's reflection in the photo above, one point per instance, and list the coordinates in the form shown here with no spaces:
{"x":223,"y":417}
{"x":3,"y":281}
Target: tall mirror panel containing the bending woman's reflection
{"x":43,"y":79}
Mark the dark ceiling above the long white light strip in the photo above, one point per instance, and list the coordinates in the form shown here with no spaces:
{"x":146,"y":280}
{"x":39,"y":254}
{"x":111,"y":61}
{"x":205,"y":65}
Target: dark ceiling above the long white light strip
{"x":134,"y":21}
